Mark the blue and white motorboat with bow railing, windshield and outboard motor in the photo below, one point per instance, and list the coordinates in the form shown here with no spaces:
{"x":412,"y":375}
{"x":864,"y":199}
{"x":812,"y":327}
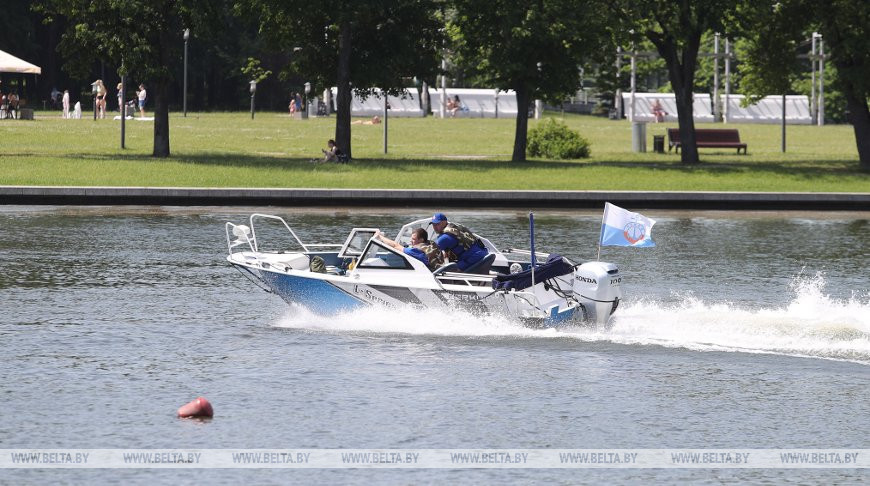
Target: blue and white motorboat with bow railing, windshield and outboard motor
{"x":538,"y":289}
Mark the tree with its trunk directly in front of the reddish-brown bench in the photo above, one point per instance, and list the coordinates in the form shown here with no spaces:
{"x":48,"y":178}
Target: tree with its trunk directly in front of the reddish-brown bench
{"x":676,"y":28}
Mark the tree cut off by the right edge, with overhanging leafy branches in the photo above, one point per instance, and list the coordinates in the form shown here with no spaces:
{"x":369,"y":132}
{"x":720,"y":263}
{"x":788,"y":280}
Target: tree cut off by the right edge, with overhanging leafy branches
{"x":775,"y":27}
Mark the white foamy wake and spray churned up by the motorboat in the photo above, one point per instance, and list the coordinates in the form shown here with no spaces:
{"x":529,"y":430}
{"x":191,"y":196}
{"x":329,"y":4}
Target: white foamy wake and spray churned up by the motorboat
{"x":812,"y":324}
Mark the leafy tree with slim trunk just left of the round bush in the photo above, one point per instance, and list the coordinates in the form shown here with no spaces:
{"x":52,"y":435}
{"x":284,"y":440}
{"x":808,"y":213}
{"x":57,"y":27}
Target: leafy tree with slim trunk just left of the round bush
{"x":533,"y":48}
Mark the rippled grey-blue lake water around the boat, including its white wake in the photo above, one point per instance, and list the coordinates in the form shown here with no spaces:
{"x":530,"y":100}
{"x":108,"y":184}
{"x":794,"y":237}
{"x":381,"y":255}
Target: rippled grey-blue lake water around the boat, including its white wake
{"x":739,"y":330}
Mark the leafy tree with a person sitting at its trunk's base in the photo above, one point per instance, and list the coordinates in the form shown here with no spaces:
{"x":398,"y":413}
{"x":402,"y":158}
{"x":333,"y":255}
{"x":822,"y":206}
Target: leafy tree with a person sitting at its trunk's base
{"x":353,"y":44}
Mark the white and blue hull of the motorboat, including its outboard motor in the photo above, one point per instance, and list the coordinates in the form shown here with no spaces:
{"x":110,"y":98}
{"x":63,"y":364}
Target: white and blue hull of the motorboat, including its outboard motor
{"x":588,"y":295}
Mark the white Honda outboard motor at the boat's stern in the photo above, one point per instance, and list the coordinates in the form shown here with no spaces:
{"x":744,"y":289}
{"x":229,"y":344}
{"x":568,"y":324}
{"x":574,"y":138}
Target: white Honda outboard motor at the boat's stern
{"x":597,"y":287}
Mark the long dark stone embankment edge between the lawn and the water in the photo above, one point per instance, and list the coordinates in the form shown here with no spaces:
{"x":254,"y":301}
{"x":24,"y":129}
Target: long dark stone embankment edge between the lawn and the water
{"x":181,"y":196}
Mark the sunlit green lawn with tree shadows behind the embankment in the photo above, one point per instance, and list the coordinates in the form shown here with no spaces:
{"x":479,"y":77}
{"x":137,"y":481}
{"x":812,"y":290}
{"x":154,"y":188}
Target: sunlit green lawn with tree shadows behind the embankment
{"x":231,"y":150}
